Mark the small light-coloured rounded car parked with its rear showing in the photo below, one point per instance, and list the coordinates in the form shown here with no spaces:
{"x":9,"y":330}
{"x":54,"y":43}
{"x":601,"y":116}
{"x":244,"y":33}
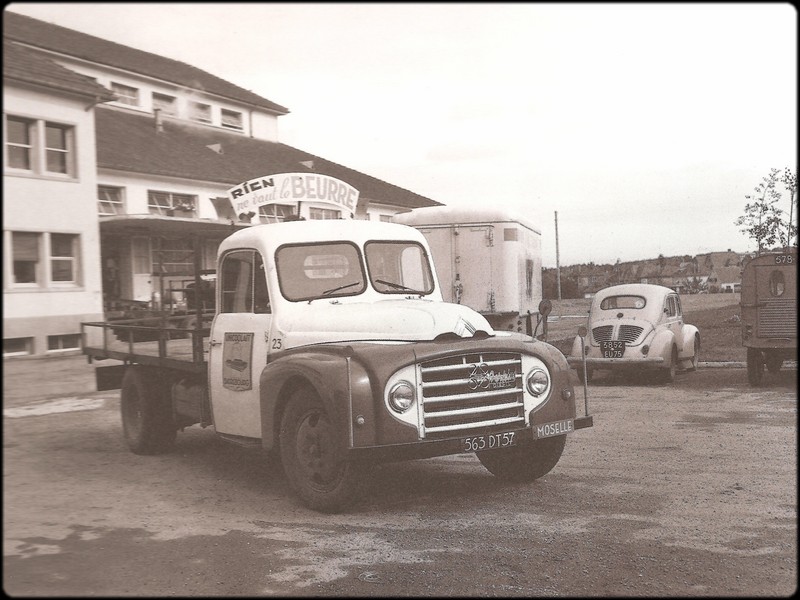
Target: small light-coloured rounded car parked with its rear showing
{"x":636,"y":326}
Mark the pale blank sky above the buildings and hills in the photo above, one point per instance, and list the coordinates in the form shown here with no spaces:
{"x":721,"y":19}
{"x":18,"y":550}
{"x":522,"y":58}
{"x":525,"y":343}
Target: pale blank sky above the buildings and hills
{"x":642,"y":126}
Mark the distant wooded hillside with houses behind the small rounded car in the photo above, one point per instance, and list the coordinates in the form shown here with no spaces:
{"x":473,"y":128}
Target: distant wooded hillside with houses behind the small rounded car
{"x":711,"y":272}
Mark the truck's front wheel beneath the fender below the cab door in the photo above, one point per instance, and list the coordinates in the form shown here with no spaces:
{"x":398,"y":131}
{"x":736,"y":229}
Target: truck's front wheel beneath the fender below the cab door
{"x":312,"y":457}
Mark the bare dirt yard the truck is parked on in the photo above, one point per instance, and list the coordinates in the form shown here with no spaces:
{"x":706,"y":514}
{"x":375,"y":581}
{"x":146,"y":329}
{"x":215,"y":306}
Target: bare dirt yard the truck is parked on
{"x":687,"y":489}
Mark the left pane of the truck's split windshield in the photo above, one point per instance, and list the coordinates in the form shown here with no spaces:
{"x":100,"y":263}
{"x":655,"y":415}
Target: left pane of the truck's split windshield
{"x":328,"y":270}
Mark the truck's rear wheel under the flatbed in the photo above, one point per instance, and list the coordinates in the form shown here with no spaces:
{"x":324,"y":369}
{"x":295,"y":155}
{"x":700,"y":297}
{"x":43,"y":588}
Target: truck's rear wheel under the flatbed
{"x":147,"y":421}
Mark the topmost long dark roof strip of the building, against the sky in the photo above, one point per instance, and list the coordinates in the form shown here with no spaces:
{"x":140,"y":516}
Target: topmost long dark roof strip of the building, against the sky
{"x":55,"y":38}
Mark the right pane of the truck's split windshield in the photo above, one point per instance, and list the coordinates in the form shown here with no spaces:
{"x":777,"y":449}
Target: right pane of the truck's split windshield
{"x":399,"y":268}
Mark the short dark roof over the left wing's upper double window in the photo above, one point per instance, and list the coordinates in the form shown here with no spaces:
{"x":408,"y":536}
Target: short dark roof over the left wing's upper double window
{"x":23,"y":65}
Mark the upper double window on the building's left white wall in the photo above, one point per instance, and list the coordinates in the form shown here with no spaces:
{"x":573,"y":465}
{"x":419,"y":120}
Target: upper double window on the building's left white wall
{"x":39,"y":147}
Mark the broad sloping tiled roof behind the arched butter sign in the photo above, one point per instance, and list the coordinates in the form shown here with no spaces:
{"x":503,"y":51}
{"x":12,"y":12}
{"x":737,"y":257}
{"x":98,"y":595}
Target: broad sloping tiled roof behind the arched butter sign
{"x":182,"y":150}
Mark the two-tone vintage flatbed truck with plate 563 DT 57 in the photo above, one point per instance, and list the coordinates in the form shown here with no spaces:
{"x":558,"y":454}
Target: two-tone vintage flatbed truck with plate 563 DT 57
{"x":332,"y":348}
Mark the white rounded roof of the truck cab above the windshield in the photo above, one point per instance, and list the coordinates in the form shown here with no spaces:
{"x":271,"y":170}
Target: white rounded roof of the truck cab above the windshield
{"x":272,"y":235}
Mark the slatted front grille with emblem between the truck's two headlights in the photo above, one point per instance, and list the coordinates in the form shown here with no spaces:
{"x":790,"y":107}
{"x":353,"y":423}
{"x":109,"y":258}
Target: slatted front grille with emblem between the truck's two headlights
{"x":469,"y":392}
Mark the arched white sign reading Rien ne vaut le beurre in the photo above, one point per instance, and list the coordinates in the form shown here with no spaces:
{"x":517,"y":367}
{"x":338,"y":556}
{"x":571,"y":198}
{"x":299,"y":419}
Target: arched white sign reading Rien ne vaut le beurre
{"x":282,"y":188}
